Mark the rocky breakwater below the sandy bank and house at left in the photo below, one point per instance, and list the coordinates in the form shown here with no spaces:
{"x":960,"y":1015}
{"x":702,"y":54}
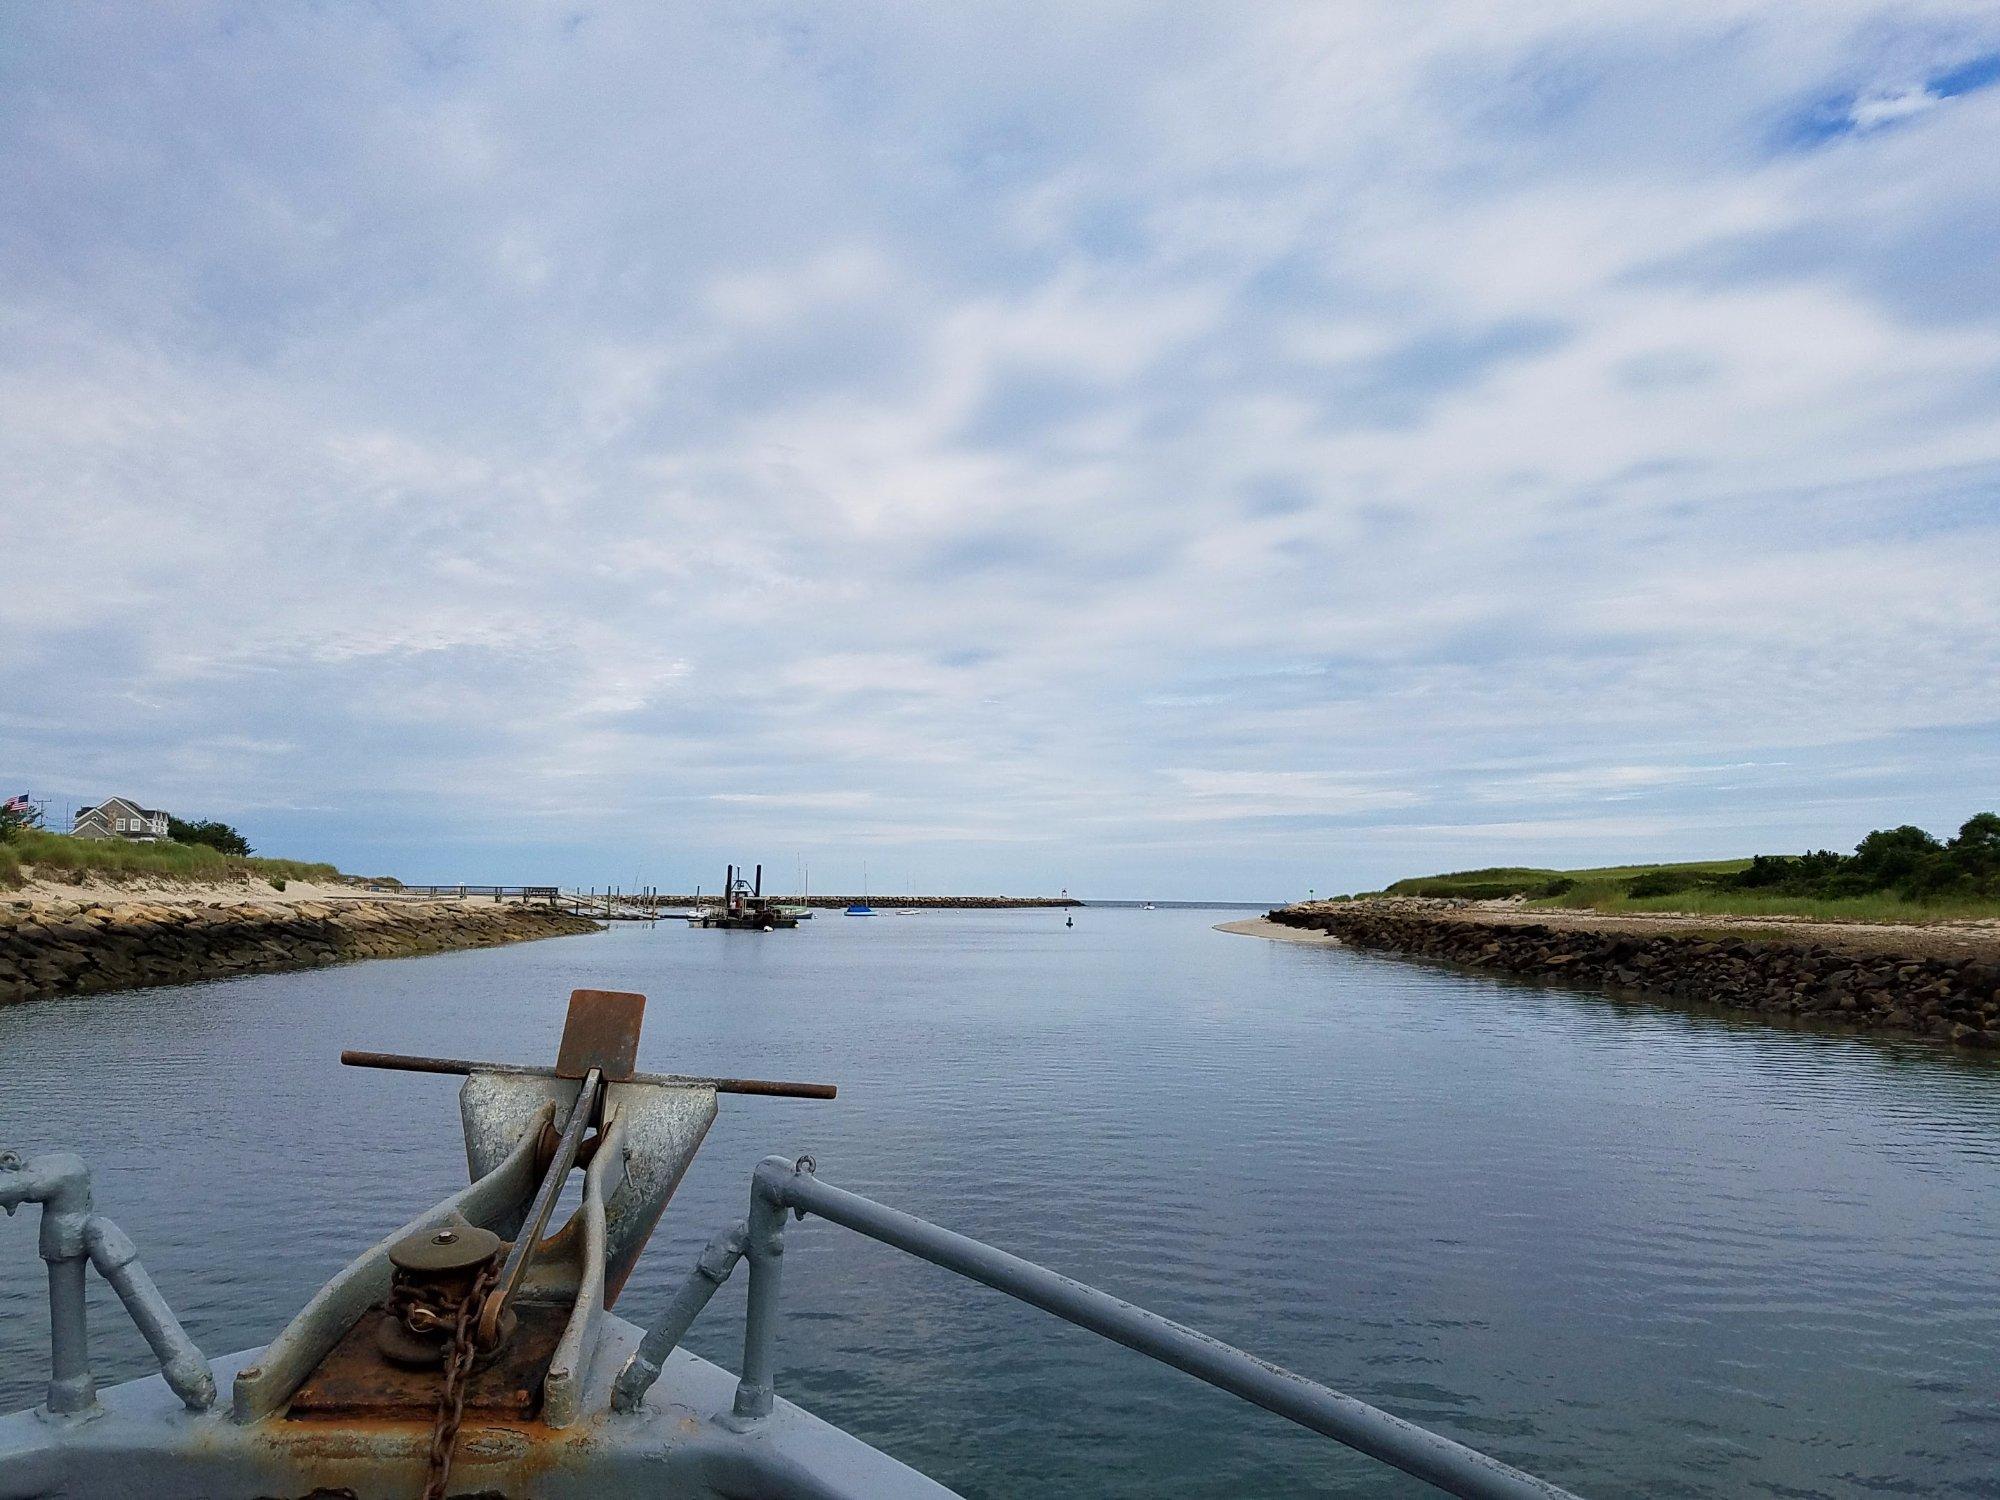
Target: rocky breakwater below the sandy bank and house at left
{"x":57,"y":947}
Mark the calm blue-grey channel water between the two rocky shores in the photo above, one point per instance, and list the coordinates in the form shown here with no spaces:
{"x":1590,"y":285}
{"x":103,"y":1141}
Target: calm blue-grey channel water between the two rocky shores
{"x":1637,"y":1251}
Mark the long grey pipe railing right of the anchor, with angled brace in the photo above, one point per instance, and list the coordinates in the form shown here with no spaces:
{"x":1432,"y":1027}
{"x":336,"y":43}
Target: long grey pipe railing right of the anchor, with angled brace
{"x":785,"y":1187}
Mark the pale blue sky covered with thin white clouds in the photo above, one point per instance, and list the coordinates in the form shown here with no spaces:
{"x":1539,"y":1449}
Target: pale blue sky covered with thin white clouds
{"x":1209,"y":451}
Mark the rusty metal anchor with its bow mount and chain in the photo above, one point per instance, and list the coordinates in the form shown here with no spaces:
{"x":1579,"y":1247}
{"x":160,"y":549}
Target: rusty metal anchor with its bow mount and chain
{"x":481,"y":1285}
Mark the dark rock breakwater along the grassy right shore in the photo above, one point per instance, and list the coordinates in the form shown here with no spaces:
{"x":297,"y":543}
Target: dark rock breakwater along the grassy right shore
{"x":1899,"y":995}
